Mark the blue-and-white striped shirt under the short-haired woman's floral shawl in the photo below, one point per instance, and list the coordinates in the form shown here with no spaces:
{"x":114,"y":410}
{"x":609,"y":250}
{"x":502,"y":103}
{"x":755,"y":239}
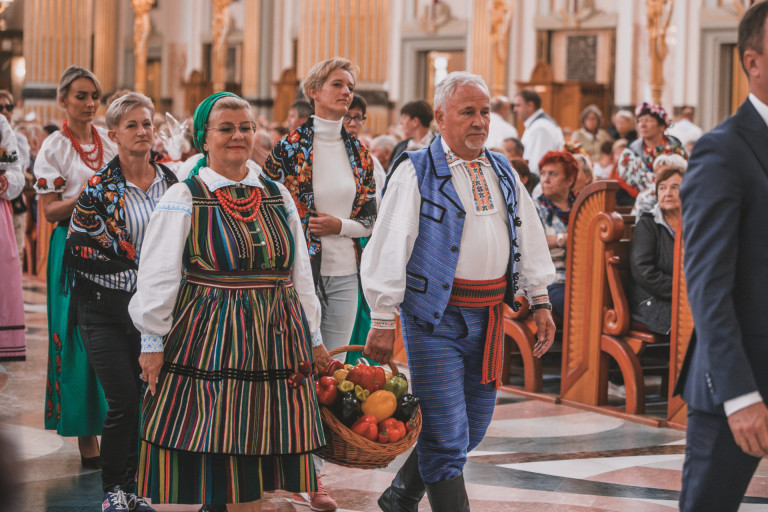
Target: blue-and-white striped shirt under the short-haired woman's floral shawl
{"x":139,"y":206}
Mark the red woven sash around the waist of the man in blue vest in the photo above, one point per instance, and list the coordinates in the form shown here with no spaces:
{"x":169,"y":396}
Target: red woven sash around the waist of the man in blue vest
{"x":490,"y":294}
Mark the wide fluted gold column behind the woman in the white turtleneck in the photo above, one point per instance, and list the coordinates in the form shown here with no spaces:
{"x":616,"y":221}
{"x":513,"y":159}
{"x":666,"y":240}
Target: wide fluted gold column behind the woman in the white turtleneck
{"x":357,"y":30}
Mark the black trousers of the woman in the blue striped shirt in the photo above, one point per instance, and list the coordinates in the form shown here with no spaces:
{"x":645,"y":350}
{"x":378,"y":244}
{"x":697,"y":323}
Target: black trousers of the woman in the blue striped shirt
{"x":113,"y":345}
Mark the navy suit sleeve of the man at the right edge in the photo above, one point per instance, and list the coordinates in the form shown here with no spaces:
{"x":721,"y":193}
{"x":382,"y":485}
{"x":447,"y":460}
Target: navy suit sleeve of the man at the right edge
{"x":711,"y":195}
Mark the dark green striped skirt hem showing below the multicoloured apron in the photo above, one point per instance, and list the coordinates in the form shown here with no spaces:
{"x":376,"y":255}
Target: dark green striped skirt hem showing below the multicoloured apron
{"x":177,"y":476}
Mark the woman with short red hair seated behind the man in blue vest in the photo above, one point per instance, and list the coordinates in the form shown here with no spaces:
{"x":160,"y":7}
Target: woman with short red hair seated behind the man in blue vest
{"x":558,"y":171}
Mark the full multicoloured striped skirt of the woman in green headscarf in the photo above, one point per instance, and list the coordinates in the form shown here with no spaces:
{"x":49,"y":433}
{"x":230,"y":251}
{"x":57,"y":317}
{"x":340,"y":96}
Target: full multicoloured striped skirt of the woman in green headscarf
{"x":224,"y":425}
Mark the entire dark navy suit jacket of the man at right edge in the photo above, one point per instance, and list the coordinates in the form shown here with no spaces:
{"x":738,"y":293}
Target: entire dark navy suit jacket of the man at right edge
{"x":725,"y":230}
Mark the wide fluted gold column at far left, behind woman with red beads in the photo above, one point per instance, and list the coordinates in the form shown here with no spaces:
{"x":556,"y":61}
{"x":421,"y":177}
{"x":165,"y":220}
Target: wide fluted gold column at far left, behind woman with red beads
{"x":57,"y":33}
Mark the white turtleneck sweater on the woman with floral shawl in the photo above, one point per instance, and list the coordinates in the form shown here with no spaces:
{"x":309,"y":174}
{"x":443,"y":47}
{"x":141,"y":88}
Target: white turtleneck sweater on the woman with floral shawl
{"x":333,"y":183}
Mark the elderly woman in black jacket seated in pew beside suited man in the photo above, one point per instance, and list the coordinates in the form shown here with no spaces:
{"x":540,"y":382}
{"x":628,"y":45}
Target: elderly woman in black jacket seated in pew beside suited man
{"x":652,"y":253}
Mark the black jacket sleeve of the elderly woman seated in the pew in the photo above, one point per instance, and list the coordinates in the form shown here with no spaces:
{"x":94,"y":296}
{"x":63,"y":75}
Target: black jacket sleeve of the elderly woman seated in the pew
{"x":643,"y":262}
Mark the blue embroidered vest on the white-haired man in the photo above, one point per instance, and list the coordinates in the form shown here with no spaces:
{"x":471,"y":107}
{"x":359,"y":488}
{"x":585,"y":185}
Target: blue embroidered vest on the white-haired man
{"x":431,"y":269}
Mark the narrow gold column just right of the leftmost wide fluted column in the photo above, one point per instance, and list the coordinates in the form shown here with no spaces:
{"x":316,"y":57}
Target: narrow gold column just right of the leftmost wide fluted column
{"x":104,"y":43}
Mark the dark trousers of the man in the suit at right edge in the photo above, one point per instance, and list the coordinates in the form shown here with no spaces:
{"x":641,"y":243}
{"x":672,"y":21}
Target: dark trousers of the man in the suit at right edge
{"x":716,"y":472}
